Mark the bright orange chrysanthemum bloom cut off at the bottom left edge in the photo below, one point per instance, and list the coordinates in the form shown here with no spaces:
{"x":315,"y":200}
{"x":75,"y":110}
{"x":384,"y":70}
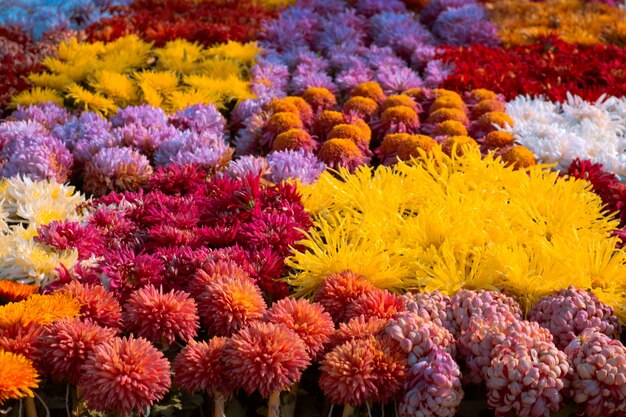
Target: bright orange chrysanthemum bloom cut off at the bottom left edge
{"x":18,"y":376}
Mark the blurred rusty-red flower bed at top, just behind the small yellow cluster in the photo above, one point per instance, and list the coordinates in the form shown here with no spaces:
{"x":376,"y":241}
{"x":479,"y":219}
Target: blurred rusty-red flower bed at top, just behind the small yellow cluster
{"x":196,"y":21}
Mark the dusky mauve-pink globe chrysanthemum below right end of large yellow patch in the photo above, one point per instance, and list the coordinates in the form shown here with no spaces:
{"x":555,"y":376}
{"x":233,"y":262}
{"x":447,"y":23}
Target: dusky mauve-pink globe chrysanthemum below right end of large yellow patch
{"x":568,"y":312}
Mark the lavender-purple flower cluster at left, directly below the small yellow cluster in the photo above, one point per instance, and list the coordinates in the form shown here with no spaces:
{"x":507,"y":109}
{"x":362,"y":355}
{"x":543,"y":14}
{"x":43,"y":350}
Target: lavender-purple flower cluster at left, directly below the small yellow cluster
{"x":44,"y":142}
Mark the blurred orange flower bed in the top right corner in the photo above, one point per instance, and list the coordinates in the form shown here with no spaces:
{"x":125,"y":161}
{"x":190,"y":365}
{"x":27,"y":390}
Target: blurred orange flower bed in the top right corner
{"x":574,"y":21}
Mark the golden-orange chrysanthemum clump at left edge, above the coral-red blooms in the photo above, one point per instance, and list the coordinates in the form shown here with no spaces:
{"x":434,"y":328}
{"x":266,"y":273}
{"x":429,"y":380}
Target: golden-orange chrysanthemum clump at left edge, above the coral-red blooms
{"x":39,"y":309}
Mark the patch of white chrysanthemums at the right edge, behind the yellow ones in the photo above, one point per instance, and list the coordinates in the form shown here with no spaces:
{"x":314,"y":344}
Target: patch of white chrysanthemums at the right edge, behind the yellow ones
{"x":558,"y":133}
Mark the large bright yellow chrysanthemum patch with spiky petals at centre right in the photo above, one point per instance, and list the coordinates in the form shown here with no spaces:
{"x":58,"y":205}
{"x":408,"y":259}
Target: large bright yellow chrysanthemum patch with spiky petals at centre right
{"x":447,"y":223}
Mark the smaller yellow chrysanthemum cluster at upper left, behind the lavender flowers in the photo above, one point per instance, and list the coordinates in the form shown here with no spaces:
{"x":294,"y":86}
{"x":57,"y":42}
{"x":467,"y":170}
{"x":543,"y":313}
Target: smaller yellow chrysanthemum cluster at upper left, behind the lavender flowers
{"x":102,"y":77}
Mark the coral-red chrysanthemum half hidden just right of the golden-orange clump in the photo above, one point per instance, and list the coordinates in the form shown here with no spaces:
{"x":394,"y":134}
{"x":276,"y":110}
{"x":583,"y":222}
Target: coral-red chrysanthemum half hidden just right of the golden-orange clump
{"x":96,"y":304}
